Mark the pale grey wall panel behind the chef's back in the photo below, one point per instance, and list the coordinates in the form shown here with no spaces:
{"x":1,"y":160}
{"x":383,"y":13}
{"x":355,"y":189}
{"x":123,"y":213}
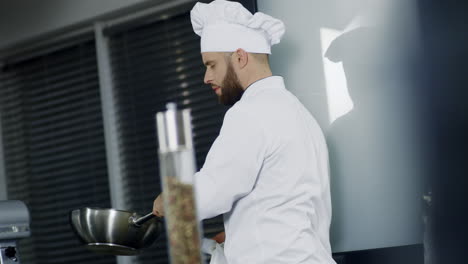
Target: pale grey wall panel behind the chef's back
{"x":364,"y":106}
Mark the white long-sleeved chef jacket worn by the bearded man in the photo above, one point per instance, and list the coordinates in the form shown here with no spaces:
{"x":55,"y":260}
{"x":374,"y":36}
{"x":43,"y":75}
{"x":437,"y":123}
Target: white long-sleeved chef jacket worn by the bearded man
{"x":268,"y":173}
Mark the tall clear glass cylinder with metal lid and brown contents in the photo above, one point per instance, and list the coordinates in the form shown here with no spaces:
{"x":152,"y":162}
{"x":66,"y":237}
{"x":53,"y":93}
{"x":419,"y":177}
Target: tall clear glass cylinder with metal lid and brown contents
{"x":177,"y":169}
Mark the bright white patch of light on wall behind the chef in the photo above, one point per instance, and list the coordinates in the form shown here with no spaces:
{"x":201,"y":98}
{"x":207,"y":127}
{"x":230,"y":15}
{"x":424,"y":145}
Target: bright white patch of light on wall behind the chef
{"x":339,"y":101}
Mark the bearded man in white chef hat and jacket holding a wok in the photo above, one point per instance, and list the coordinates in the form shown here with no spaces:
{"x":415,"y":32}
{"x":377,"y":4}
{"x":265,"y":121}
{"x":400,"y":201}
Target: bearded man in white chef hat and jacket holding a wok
{"x":267,"y":172}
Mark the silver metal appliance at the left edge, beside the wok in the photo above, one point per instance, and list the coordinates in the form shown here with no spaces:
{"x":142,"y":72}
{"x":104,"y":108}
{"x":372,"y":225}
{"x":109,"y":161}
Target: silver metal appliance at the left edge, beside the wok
{"x":14,"y":224}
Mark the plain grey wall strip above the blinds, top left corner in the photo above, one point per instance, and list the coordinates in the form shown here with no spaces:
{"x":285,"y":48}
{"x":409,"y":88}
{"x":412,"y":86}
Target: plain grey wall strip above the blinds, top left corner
{"x":23,"y":19}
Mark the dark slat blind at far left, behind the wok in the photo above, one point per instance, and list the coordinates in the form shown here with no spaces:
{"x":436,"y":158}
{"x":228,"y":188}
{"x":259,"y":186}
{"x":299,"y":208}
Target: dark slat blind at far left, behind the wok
{"x":55,"y":158}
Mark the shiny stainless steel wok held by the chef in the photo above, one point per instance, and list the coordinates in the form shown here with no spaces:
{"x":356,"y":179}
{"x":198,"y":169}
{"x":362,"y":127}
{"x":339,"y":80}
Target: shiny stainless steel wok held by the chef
{"x":114,"y":231}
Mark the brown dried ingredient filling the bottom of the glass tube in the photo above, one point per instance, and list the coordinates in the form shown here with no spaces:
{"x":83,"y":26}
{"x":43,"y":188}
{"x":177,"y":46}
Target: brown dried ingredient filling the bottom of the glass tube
{"x":183,"y":235}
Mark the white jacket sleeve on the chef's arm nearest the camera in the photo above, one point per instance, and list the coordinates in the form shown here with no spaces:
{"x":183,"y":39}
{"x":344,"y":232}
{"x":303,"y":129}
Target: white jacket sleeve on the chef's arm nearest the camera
{"x":231,"y":166}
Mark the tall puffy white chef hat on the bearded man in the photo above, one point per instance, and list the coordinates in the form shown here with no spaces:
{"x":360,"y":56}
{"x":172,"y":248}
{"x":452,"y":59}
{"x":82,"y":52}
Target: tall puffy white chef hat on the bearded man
{"x":225,"y":26}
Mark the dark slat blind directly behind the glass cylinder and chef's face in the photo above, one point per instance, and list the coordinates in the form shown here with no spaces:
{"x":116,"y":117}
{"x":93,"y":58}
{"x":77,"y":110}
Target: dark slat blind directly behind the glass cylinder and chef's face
{"x":154,"y":64}
